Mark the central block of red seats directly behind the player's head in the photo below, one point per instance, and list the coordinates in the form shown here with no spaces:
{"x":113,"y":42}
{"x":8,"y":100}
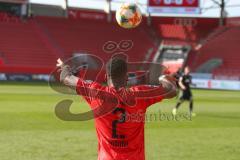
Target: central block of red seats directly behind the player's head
{"x":71,"y":37}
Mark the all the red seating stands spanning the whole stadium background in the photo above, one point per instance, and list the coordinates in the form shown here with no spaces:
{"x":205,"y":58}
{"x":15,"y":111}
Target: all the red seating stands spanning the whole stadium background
{"x":32,"y":45}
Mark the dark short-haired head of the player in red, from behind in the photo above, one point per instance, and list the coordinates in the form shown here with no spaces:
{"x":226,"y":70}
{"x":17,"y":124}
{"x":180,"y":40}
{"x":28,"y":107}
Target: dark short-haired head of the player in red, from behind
{"x":116,"y":68}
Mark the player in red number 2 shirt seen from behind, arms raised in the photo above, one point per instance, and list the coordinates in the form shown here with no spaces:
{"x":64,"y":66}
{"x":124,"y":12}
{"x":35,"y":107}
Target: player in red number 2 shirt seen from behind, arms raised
{"x":120,"y":134}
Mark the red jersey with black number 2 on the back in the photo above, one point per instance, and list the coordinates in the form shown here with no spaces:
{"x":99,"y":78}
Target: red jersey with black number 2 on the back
{"x":120,"y":129}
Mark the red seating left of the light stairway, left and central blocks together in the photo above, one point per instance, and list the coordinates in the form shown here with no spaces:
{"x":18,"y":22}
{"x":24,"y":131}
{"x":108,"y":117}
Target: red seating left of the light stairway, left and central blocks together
{"x":37,"y":42}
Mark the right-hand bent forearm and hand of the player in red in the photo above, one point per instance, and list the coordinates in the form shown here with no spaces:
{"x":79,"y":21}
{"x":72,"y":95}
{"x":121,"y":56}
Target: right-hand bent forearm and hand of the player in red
{"x":168,"y":84}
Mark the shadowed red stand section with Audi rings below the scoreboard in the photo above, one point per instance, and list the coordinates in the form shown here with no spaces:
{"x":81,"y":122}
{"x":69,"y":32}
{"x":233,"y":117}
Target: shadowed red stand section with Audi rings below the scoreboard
{"x":184,"y":32}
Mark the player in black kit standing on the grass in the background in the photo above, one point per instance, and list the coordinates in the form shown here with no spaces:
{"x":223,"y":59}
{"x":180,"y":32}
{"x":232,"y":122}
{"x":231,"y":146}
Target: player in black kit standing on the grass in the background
{"x":186,"y":95}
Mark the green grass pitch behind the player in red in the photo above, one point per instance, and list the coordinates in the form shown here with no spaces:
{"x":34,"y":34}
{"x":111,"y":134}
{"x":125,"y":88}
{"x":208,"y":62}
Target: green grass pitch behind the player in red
{"x":29,"y":129}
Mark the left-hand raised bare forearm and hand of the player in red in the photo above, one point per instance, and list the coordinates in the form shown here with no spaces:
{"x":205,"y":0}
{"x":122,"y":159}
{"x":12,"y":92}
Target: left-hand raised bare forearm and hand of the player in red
{"x":66,"y":75}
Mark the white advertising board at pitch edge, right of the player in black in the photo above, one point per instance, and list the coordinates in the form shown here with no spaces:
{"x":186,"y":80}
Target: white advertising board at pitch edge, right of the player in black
{"x":216,"y":84}
